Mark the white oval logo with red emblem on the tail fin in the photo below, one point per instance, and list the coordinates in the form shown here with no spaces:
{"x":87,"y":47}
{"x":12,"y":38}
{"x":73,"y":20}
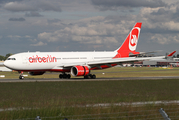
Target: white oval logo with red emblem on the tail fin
{"x":134,"y":38}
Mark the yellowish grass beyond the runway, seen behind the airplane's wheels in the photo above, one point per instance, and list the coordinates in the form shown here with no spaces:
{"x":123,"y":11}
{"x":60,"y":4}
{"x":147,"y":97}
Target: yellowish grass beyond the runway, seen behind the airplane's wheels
{"x":110,"y":73}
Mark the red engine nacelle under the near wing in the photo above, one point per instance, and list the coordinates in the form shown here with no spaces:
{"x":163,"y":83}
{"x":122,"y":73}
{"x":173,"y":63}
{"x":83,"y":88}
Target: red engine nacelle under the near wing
{"x":80,"y":71}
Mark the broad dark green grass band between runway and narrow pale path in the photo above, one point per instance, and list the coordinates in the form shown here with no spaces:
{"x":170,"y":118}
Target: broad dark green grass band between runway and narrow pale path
{"x":49,"y":94}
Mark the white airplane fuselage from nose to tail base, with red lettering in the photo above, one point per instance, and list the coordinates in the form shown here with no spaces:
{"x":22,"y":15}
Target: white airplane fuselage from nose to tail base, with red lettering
{"x":52,"y":61}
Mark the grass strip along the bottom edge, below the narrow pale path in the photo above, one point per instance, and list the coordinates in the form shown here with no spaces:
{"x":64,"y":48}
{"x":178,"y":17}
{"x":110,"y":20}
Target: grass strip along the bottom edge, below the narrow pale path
{"x":112,"y":113}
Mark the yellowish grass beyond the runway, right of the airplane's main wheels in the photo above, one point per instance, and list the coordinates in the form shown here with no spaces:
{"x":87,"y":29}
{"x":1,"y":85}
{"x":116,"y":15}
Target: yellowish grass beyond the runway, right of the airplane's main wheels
{"x":136,"y":72}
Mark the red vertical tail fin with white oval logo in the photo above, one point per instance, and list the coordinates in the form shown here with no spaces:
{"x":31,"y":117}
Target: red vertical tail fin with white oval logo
{"x":130,"y":44}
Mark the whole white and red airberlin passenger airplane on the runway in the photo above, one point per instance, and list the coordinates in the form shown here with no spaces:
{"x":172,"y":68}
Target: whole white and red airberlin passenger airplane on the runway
{"x":77,"y":63}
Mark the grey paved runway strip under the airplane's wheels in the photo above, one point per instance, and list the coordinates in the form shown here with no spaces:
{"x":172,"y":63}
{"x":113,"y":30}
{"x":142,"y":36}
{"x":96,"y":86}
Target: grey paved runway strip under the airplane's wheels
{"x":81,"y":79}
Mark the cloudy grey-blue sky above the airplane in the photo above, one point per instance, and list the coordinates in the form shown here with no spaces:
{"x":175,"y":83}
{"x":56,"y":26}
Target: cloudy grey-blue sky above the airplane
{"x":86,"y":25}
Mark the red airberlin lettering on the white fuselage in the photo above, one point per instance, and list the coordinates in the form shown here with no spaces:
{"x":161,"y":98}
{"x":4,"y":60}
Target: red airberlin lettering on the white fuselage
{"x":38,"y":59}
